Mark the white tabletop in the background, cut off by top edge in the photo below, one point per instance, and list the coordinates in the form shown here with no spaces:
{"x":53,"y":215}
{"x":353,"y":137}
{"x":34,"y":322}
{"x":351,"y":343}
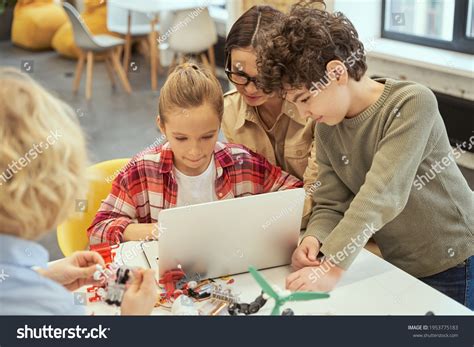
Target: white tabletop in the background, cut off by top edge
{"x":155,"y":6}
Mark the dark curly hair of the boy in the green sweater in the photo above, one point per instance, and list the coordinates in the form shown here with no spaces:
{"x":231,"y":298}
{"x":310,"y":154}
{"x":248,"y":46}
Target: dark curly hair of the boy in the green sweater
{"x":296,"y":51}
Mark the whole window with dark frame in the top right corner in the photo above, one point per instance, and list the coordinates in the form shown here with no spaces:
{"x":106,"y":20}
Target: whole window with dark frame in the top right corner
{"x":446,"y":24}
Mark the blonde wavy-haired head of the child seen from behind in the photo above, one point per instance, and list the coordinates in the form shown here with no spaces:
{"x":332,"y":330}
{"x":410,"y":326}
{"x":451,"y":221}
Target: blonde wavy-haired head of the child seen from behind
{"x":42,"y":157}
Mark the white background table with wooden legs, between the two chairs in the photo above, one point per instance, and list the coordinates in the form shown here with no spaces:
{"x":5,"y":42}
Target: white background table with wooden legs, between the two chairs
{"x":152,"y":8}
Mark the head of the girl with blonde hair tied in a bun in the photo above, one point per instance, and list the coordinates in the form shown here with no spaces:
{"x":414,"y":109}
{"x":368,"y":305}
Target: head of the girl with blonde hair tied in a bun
{"x":191,"y":106}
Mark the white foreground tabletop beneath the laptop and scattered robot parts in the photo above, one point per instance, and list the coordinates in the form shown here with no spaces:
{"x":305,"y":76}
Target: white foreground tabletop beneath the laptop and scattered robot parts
{"x":371,"y":286}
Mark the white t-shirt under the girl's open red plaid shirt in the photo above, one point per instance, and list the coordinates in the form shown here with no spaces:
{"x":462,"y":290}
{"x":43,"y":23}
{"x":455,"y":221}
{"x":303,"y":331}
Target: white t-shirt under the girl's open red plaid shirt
{"x":194,"y":190}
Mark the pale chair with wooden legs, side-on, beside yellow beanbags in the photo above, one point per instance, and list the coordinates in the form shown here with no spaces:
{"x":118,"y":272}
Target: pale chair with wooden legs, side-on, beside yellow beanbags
{"x":90,"y":45}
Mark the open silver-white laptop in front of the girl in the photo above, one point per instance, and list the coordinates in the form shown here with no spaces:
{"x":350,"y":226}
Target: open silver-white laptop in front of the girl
{"x":225,"y":237}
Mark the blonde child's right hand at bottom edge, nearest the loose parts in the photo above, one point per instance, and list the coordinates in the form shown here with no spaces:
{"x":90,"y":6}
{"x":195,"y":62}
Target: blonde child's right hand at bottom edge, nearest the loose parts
{"x":140,"y":297}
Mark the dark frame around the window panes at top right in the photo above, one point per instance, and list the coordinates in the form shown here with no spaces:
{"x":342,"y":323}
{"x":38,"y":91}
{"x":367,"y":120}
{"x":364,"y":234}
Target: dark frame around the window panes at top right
{"x":460,"y":42}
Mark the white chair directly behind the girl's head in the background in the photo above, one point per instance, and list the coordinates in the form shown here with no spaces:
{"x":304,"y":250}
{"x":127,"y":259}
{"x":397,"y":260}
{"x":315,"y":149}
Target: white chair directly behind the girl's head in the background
{"x":194,"y":33}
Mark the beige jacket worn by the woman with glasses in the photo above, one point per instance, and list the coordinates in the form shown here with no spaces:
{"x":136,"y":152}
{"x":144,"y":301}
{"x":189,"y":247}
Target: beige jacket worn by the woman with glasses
{"x":293,"y":148}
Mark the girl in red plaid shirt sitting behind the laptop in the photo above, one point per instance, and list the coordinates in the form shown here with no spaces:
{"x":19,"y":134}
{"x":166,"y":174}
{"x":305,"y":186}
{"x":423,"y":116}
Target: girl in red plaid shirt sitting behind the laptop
{"x":191,"y":168}
